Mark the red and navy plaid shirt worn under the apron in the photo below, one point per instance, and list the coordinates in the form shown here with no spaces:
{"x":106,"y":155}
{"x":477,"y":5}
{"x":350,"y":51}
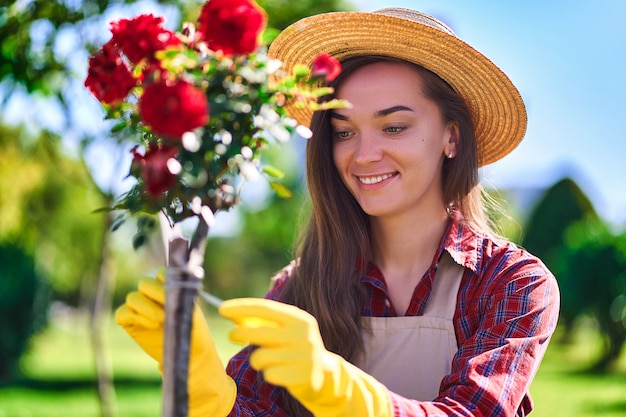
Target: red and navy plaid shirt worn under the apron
{"x":507,"y":309}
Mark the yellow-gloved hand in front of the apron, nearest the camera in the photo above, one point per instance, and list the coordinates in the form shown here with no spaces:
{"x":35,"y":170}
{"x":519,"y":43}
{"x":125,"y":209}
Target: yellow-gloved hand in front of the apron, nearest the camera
{"x":291,"y":354}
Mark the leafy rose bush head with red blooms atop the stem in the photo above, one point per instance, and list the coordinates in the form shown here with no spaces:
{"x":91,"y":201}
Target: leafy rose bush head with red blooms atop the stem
{"x":200,"y":105}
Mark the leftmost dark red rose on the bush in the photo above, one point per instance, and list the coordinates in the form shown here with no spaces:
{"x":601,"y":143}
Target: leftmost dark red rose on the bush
{"x":108,"y":77}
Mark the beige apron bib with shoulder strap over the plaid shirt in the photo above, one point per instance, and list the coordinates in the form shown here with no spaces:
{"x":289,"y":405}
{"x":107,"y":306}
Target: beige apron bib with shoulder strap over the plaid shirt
{"x":410,"y":355}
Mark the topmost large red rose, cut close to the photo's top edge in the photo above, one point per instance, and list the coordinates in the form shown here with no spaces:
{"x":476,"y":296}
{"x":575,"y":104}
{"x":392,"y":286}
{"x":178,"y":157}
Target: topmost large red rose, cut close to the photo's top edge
{"x":231,"y":26}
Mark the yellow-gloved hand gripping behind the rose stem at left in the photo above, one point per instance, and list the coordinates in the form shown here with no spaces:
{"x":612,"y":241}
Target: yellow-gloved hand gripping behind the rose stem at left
{"x":211,"y":391}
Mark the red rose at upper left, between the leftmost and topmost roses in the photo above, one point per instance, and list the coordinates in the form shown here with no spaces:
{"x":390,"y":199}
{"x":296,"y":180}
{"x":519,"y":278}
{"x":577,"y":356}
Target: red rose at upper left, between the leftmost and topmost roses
{"x":142,"y":36}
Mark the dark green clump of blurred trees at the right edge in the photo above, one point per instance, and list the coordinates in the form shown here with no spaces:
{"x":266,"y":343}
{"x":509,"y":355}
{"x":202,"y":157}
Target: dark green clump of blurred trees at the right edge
{"x":565,"y":231}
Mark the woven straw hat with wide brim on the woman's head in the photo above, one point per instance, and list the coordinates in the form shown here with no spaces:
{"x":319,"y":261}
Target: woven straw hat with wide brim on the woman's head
{"x":495,"y":104}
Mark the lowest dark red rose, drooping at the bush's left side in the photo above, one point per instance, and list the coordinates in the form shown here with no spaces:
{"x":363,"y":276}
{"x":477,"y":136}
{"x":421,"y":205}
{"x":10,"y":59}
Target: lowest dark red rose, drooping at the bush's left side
{"x":155,"y":173}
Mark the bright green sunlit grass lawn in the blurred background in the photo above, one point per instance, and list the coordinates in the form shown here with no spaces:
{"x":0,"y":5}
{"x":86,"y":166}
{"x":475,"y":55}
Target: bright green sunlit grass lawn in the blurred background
{"x":60,"y":377}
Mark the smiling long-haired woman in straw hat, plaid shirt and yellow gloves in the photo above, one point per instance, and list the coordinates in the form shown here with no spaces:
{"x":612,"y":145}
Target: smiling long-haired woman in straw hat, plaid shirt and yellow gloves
{"x":402,"y":300}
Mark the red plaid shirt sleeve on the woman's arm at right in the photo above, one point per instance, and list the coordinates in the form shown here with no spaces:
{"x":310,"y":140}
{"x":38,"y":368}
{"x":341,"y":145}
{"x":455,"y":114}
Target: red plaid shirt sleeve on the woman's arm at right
{"x":506,"y":313}
